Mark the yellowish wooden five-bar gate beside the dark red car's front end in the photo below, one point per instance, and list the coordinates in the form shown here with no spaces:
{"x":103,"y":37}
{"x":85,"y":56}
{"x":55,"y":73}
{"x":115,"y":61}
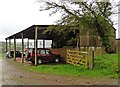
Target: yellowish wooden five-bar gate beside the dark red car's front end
{"x":77,"y":58}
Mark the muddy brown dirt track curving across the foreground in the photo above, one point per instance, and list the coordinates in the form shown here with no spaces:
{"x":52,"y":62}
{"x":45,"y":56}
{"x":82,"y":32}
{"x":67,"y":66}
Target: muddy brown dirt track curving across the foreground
{"x":15,"y":75}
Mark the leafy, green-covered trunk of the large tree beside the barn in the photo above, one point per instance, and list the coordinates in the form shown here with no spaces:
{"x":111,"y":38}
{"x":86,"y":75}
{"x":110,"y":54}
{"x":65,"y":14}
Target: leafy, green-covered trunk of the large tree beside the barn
{"x":108,"y":32}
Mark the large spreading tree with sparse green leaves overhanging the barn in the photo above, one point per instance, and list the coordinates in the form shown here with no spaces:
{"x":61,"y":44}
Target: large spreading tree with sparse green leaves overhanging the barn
{"x":79,"y":17}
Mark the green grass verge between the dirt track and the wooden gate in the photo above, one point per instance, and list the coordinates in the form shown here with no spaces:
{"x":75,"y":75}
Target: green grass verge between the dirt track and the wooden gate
{"x":105,"y":66}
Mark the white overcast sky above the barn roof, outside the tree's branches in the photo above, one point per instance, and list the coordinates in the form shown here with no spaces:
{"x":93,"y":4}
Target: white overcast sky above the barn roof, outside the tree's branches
{"x":16,"y":15}
